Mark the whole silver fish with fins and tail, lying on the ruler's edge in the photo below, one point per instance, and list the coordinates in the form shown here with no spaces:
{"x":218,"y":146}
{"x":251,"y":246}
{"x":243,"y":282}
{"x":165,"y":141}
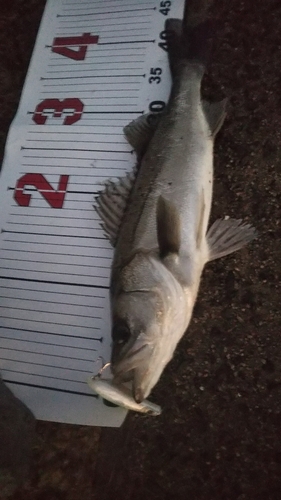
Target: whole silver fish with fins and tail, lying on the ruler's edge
{"x":157,"y":219}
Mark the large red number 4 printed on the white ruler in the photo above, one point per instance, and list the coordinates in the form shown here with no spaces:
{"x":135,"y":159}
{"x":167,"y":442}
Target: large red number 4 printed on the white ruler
{"x":61,"y":45}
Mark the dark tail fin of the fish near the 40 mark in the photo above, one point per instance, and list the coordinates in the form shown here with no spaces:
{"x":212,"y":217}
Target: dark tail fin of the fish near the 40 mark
{"x":189,"y":40}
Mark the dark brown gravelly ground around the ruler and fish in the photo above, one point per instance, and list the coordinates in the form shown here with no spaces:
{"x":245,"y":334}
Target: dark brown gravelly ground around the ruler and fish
{"x":219,"y":435}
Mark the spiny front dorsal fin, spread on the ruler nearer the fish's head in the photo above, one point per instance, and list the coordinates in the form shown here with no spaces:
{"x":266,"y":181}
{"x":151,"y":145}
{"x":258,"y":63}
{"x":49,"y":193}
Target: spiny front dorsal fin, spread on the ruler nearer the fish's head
{"x":111,"y":204}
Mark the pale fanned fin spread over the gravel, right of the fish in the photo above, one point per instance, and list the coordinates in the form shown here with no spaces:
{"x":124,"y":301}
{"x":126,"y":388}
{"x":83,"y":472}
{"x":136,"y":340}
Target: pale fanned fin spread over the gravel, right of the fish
{"x":227,"y":236}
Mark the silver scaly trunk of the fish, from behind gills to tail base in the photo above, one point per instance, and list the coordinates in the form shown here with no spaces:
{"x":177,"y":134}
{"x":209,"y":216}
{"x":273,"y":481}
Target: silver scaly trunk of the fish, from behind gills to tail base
{"x":177,"y":166}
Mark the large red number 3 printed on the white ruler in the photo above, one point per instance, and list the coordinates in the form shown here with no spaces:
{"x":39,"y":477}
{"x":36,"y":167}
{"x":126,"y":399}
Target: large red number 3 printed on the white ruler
{"x":58,"y":107}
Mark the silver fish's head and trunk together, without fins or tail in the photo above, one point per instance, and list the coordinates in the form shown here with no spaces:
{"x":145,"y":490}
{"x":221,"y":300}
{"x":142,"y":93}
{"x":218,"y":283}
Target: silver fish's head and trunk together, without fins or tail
{"x":178,"y":167}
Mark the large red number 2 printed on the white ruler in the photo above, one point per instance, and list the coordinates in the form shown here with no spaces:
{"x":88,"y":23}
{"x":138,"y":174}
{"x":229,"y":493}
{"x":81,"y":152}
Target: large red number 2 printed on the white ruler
{"x":55,"y":198}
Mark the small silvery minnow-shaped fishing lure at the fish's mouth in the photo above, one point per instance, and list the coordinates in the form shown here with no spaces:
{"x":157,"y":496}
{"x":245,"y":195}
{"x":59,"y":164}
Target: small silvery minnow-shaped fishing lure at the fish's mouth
{"x":122,"y":396}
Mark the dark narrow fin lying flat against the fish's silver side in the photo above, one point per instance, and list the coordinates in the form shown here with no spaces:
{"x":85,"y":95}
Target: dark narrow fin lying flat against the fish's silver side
{"x":168,"y":228}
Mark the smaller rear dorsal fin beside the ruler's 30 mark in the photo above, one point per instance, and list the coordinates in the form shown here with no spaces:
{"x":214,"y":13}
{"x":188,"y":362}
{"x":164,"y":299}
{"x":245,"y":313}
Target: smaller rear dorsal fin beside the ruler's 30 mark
{"x":140,"y":131}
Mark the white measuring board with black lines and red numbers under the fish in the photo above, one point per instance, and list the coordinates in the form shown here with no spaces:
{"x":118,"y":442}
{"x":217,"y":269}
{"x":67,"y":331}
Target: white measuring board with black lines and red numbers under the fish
{"x":96,"y":66}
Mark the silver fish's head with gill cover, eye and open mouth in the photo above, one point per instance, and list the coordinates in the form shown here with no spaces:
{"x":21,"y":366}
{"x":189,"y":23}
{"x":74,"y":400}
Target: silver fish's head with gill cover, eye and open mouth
{"x":150,"y":313}
